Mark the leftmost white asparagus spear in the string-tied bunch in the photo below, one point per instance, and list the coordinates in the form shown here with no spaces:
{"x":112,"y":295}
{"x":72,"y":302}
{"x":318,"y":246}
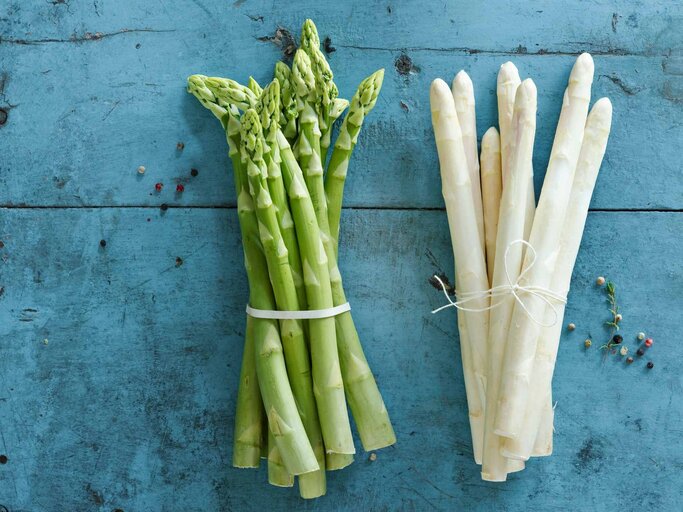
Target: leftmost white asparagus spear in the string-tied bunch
{"x":467,"y":248}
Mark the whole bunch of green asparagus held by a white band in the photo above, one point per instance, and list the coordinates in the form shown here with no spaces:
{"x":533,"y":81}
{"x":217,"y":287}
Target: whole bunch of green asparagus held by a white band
{"x":297,"y":375}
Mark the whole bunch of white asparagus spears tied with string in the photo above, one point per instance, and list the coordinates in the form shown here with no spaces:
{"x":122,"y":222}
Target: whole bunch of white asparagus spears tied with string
{"x":509,"y":307}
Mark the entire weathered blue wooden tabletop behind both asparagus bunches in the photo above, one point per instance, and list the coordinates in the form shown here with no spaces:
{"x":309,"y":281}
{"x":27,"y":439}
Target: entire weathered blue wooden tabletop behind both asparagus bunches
{"x":119,"y":365}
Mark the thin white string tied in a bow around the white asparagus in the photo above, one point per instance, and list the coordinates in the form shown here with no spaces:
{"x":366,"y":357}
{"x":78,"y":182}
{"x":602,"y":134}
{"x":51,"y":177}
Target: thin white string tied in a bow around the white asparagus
{"x":516,"y":289}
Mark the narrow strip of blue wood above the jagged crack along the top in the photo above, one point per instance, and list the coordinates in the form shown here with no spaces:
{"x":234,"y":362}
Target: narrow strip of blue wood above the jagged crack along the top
{"x":618,"y":26}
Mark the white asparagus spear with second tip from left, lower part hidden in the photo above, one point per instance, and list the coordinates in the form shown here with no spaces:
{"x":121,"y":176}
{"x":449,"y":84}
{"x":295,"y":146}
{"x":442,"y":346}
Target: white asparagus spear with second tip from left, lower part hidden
{"x":463,"y":96}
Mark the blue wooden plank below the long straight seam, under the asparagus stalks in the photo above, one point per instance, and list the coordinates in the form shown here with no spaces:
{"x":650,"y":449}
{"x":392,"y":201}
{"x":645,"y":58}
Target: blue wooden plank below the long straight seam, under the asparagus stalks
{"x":129,"y":401}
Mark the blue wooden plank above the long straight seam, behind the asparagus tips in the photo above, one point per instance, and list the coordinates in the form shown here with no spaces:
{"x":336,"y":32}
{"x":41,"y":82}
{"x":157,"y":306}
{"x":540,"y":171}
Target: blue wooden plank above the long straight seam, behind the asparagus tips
{"x":108,"y":104}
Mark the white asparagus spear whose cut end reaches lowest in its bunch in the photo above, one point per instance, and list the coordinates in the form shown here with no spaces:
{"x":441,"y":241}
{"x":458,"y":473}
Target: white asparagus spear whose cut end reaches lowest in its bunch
{"x":508,"y":265}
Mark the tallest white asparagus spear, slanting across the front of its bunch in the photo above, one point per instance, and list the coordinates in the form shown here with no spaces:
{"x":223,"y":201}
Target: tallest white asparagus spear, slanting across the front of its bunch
{"x":545,"y":239}
